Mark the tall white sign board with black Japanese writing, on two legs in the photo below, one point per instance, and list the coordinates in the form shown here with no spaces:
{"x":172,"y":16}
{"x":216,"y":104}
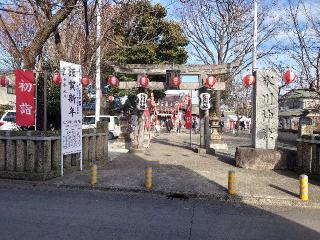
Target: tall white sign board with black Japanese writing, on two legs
{"x":71,"y":110}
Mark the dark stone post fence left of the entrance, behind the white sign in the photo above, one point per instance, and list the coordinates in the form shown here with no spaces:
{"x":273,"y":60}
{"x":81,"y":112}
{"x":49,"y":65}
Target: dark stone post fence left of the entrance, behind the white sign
{"x":36,"y":155}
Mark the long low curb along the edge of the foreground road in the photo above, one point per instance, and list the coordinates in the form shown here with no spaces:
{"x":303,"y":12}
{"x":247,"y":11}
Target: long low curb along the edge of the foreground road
{"x":224,"y":197}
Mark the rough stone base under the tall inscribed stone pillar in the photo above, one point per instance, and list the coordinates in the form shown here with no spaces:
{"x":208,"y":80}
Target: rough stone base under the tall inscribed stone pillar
{"x":260,"y":159}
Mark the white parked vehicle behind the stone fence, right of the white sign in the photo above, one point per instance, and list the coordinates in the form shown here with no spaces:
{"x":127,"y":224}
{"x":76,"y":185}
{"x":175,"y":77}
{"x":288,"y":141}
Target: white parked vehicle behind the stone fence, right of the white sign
{"x":114,"y":124}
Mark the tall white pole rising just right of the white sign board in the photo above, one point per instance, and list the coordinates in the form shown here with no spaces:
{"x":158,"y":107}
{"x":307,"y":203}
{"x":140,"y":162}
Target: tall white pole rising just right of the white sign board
{"x":98,"y":73}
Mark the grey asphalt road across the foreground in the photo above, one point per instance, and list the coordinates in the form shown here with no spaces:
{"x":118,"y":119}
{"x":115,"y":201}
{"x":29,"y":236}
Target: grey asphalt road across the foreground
{"x":48,"y":213}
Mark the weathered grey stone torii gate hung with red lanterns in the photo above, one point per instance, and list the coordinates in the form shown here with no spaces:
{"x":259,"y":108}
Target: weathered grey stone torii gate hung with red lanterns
{"x":202,"y":71}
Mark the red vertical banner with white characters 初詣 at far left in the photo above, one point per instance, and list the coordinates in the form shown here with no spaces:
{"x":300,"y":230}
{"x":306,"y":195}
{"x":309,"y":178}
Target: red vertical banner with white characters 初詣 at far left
{"x":25,"y":93}
